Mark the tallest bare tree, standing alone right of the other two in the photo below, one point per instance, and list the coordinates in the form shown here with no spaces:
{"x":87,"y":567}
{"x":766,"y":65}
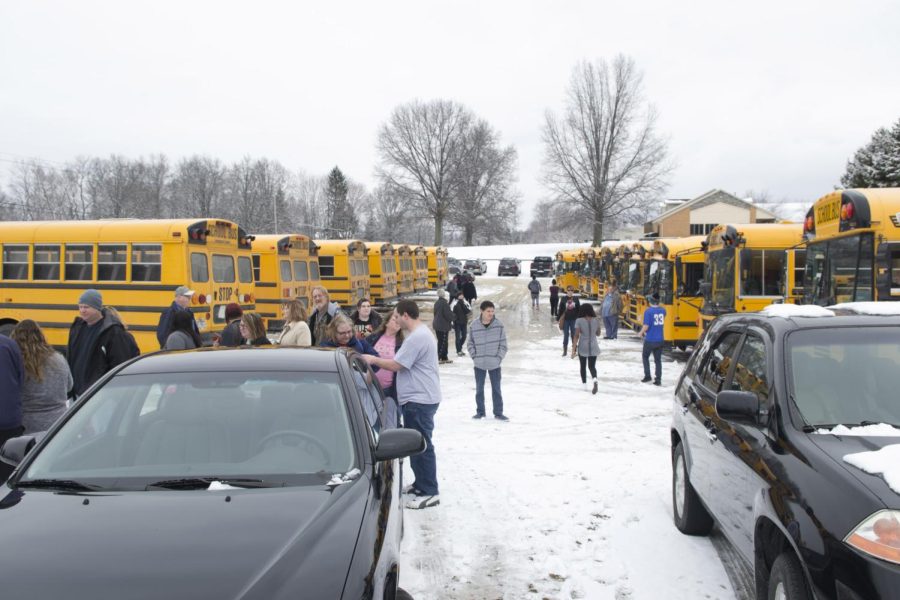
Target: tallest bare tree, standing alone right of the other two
{"x":603,"y":155}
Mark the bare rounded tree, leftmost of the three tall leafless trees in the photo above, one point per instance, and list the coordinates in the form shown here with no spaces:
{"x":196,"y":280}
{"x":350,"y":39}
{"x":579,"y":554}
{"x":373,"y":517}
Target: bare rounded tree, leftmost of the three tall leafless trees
{"x":421,"y":148}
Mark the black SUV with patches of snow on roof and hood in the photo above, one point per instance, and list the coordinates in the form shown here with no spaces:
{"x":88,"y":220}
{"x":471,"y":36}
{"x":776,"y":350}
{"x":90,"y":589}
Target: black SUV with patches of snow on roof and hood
{"x":773,"y":417}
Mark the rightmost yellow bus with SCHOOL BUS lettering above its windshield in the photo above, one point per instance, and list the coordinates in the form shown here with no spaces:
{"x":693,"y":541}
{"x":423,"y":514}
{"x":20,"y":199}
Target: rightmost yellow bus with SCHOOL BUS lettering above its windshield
{"x":853,"y":247}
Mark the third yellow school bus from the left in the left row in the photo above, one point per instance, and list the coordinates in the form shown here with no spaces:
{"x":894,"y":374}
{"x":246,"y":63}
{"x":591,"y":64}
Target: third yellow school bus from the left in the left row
{"x":344,"y":270}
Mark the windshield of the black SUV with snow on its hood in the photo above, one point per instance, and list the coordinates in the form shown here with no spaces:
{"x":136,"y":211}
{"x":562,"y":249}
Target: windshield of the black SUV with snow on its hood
{"x":846,"y":376}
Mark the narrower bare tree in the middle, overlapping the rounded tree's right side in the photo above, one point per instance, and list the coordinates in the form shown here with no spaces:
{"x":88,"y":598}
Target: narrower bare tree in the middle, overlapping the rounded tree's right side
{"x":483,"y":196}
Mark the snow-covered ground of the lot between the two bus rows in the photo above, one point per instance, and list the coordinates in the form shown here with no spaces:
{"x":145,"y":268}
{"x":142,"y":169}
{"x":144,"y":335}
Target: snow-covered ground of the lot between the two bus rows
{"x":569,"y":499}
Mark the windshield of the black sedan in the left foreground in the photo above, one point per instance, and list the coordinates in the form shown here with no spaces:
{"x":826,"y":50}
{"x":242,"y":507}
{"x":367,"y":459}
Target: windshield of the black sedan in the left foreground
{"x":244,"y":429}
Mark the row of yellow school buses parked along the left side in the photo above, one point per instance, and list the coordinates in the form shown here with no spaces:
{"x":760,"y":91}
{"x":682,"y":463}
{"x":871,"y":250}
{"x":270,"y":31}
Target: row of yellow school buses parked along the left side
{"x":137,"y":264}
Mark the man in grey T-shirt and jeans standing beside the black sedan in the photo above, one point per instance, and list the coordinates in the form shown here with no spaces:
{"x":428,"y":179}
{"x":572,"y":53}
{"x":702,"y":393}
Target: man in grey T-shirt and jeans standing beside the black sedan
{"x":419,"y":391}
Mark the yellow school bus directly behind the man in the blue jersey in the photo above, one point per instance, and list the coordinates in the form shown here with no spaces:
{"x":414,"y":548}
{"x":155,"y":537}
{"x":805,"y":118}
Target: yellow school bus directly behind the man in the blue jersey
{"x":674,"y":272}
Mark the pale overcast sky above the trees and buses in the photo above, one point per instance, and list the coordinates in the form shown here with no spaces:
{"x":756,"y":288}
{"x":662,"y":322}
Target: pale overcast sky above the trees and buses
{"x":772,"y":96}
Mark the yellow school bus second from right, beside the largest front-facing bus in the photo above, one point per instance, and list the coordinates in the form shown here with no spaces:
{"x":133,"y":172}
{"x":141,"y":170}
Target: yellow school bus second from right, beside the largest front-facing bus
{"x":751,"y":266}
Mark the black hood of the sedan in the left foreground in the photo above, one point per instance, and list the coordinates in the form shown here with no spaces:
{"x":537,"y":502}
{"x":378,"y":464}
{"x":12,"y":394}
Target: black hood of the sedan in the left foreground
{"x":253,"y":543}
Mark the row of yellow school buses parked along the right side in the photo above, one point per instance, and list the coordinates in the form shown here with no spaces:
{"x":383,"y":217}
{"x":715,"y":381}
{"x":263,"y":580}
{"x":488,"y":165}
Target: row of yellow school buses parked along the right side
{"x":846,"y":250}
